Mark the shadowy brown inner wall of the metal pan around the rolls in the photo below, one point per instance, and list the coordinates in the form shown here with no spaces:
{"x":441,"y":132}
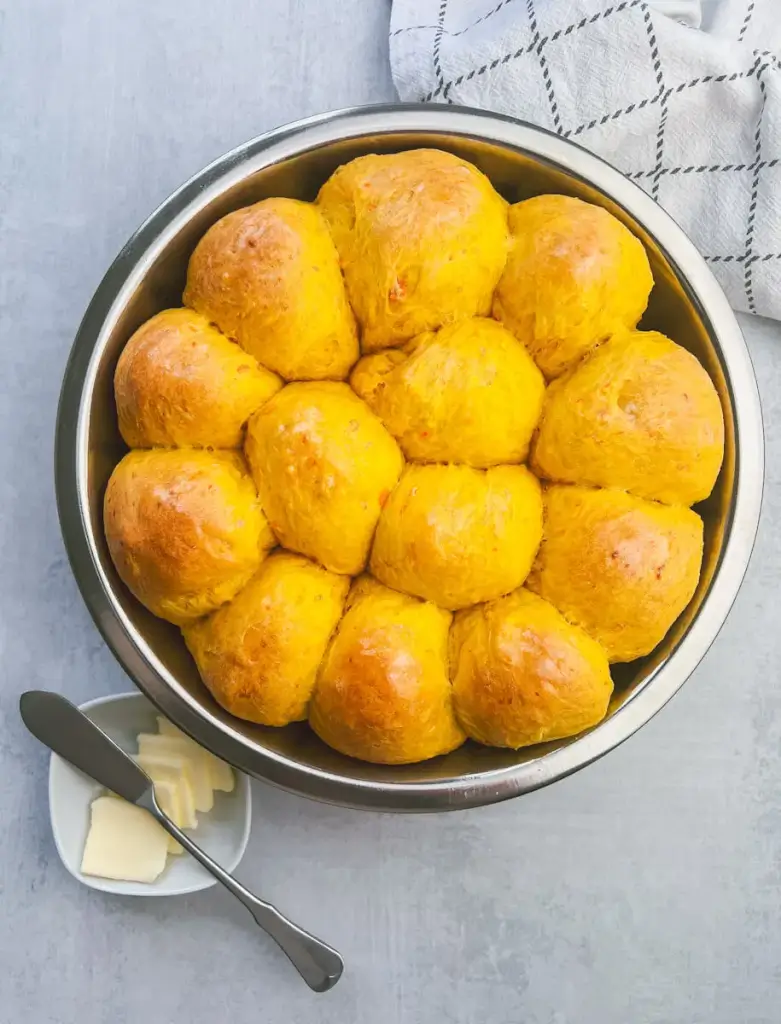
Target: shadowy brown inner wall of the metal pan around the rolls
{"x":517,"y":176}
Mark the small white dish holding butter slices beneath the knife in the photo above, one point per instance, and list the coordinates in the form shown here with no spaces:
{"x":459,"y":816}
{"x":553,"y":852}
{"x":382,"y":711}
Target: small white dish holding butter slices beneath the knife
{"x":223,"y":833}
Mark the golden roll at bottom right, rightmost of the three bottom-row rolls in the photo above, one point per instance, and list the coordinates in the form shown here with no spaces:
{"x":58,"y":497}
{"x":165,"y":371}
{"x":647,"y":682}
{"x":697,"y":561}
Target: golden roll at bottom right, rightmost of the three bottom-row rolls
{"x":523,"y":675}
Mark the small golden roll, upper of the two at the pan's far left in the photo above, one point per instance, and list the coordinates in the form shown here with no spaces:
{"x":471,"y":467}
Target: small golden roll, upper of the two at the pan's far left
{"x":181,"y":383}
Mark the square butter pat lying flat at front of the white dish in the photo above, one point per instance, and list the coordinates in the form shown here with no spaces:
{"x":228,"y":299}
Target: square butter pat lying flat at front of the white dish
{"x":124,"y":843}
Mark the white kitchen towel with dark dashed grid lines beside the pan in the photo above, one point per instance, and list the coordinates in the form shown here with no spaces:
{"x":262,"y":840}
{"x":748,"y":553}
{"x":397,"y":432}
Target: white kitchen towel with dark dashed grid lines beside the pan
{"x":682,"y":96}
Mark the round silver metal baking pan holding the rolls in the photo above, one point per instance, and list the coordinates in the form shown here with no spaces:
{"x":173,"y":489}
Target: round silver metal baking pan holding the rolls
{"x":149,"y":275}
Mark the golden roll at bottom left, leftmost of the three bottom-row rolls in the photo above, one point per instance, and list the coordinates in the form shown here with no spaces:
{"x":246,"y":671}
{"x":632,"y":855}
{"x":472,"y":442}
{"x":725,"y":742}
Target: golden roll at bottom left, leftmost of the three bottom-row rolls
{"x":259,"y":654}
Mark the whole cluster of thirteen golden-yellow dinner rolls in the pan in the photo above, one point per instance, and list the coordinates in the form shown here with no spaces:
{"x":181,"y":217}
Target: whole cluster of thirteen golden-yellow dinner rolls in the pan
{"x":404,"y":466}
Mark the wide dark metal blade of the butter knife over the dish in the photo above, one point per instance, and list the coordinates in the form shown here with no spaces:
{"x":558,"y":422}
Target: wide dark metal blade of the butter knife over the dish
{"x":70,"y":734}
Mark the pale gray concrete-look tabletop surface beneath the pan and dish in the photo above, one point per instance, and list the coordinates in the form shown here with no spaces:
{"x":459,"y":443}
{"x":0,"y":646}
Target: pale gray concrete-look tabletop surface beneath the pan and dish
{"x":646,"y":889}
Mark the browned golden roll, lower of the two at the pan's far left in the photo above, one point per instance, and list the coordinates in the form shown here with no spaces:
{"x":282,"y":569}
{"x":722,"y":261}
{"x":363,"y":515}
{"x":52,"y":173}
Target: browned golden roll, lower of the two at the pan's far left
{"x":185,"y":529}
